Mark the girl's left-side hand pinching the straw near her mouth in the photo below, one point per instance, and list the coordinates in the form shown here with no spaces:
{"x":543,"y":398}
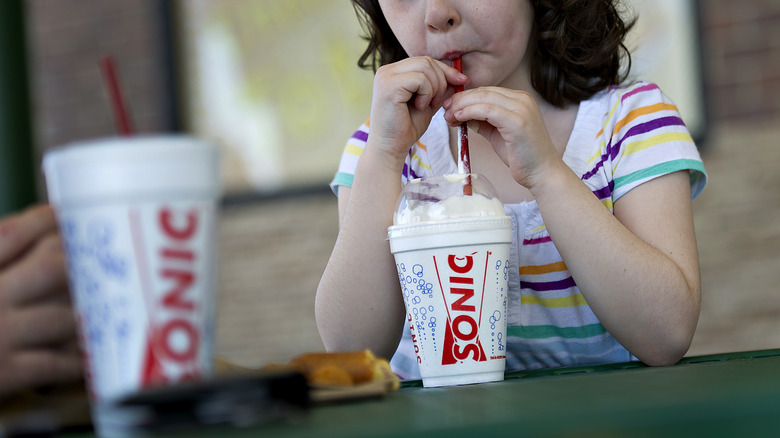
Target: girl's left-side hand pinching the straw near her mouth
{"x":406,"y":96}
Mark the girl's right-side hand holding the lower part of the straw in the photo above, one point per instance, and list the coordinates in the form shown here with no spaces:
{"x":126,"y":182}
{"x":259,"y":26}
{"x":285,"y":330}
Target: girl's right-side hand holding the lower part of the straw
{"x":511,"y":121}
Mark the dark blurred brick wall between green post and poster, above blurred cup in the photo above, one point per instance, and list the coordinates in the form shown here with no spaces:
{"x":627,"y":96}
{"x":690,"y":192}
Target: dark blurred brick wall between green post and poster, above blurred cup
{"x":67,"y":39}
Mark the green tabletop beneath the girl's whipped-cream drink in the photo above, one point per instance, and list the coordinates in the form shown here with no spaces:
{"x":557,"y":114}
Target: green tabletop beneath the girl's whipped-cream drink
{"x":721,"y":395}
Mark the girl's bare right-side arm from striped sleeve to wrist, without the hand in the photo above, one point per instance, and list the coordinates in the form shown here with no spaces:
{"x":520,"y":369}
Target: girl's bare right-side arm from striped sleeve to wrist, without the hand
{"x":637,"y":269}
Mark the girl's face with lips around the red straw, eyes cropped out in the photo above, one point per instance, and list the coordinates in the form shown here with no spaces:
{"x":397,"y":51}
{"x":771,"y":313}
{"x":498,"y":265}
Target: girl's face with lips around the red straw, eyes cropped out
{"x":491,"y":36}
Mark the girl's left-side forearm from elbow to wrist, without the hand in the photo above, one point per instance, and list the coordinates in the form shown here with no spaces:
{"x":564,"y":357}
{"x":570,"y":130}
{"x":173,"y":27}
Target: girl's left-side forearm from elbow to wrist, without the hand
{"x":359,"y":304}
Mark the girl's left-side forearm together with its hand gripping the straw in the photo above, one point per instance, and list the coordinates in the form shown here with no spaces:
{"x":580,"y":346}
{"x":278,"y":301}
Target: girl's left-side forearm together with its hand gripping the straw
{"x":359,"y":303}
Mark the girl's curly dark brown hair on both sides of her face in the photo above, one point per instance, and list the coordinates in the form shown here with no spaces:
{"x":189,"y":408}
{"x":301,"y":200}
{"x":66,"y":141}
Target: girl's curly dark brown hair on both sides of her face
{"x":578,"y":46}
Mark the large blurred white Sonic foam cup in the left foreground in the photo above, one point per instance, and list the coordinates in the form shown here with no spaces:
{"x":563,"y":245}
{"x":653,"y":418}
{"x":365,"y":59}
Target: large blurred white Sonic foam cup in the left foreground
{"x":138,"y":218}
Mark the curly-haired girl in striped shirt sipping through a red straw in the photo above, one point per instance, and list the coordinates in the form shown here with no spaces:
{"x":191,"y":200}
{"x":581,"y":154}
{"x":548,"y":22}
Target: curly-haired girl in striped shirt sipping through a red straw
{"x":597,"y":177}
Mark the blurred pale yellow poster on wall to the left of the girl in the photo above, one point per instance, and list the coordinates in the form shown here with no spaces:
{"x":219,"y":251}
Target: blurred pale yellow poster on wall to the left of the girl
{"x":276,"y":84}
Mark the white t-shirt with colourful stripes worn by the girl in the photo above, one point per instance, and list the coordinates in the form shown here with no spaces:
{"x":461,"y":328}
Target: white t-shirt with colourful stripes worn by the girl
{"x":622,"y":137}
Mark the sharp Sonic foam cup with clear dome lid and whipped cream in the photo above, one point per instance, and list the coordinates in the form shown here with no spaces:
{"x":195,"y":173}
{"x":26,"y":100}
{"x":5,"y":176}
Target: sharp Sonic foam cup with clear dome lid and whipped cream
{"x":452,"y":252}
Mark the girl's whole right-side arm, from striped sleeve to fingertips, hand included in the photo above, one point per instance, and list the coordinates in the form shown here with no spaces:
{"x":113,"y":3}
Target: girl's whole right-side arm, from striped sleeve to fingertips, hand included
{"x":637,"y":269}
